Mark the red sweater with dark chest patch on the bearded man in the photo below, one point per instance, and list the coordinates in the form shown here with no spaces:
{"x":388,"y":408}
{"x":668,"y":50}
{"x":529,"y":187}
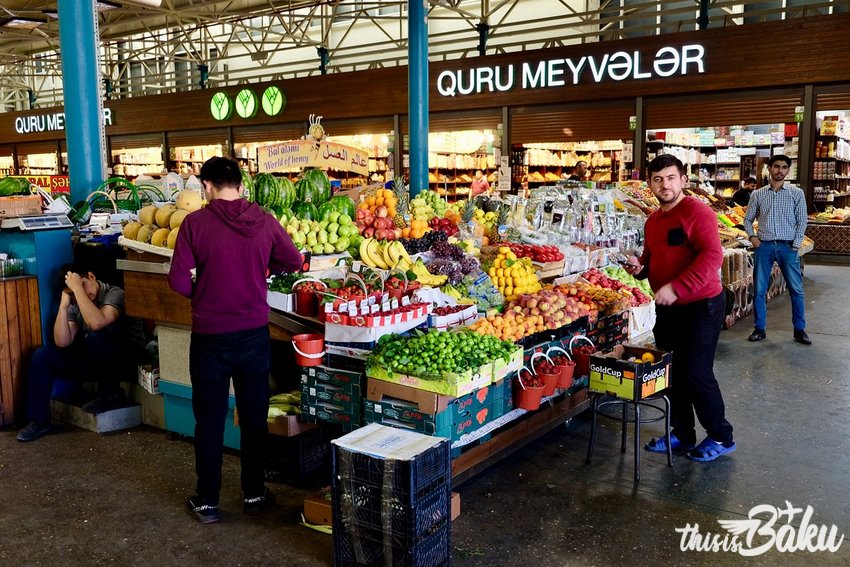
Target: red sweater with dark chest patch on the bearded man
{"x":683,"y":248}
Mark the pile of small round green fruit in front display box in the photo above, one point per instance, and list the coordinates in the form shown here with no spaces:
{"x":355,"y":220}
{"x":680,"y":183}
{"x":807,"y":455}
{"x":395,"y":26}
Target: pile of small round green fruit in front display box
{"x":434,"y":353}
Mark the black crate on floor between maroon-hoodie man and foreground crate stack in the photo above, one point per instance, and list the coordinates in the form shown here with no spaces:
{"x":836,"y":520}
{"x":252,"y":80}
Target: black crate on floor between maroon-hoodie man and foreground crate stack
{"x":301,"y":460}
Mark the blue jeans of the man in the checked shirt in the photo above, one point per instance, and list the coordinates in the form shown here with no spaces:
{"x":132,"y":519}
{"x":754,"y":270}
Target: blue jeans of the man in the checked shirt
{"x":789,"y":263}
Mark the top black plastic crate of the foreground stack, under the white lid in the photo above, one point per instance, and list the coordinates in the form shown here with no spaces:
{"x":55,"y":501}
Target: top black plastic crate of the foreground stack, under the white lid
{"x":411,"y":480}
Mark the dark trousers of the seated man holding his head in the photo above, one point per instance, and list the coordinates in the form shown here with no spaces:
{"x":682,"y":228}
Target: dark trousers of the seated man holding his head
{"x":95,"y":355}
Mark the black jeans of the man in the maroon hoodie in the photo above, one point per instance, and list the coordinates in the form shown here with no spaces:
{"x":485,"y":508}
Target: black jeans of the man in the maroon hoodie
{"x":213,"y":360}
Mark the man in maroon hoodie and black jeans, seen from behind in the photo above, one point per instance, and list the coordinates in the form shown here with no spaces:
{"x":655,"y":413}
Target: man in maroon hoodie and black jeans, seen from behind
{"x":231,"y":243}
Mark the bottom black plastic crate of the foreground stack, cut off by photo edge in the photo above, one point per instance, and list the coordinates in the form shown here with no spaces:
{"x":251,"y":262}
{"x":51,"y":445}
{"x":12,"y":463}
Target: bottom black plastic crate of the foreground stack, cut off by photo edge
{"x":364,"y":547}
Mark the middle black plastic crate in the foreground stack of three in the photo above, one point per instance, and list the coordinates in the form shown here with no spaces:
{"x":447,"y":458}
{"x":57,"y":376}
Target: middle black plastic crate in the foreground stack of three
{"x":367,"y":507}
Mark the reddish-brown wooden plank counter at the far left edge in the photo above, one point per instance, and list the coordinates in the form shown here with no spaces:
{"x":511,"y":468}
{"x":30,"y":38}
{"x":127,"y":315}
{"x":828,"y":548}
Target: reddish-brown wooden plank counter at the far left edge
{"x":20,"y":335}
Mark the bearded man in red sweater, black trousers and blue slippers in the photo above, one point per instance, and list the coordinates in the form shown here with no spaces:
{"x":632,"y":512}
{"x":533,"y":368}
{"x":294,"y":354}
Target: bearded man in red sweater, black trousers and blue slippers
{"x":682,"y":258}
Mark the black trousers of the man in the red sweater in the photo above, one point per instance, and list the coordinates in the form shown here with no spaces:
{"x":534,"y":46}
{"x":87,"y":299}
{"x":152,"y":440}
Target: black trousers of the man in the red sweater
{"x":691,"y":331}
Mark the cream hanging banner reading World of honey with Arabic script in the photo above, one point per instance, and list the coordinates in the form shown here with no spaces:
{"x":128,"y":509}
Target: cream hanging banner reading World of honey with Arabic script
{"x":299,"y":154}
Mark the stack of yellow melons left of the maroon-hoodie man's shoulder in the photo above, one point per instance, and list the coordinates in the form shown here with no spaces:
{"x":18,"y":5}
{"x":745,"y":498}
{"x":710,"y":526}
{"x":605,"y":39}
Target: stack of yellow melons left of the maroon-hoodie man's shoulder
{"x":159,"y":226}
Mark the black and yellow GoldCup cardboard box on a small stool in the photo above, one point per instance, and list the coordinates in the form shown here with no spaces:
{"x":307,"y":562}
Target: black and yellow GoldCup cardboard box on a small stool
{"x":611,"y":374}
